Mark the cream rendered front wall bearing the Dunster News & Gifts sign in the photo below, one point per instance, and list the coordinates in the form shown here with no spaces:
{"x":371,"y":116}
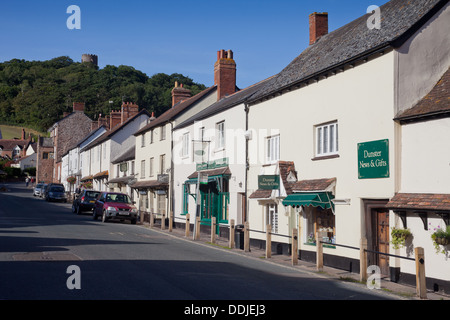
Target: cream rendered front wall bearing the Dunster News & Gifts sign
{"x":361,"y":100}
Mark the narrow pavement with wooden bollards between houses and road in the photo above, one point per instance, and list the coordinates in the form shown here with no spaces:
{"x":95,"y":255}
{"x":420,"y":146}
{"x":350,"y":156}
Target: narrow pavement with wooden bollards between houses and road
{"x":403,"y":291}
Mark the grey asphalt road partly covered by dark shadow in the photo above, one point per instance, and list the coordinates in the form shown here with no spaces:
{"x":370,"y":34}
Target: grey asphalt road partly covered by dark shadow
{"x":39,"y":241}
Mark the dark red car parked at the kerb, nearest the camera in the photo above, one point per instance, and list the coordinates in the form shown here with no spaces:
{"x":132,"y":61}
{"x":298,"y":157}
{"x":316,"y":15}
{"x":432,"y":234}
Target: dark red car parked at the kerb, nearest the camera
{"x":114,"y":205}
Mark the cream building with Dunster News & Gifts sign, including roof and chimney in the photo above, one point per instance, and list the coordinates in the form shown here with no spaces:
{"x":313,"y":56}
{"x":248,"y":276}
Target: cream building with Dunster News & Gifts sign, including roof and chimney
{"x":325,"y":154}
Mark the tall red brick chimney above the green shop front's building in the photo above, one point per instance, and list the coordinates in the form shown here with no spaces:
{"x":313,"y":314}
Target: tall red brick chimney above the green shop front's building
{"x":225,"y":74}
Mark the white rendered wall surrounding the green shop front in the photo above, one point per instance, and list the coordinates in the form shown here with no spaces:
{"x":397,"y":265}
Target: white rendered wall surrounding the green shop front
{"x":234,"y":150}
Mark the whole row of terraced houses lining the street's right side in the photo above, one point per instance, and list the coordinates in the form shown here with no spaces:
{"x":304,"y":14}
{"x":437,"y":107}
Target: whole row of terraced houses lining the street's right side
{"x":348,"y":141}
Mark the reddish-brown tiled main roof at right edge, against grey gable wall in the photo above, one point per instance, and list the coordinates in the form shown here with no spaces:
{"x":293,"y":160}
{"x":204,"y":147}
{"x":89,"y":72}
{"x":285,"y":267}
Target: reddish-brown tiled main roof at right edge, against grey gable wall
{"x":435,"y":104}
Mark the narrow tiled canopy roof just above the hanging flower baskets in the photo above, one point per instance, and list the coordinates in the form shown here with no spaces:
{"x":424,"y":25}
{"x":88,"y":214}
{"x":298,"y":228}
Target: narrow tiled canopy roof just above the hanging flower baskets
{"x":420,"y":201}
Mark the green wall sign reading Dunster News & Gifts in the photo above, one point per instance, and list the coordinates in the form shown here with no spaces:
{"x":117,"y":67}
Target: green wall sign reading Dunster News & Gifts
{"x":373,"y":159}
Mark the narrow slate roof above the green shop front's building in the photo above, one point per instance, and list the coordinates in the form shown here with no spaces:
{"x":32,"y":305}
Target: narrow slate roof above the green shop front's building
{"x":225,"y":103}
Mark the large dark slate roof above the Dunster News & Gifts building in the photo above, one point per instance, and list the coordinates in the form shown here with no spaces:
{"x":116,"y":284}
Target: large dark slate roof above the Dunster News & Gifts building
{"x":354,"y":41}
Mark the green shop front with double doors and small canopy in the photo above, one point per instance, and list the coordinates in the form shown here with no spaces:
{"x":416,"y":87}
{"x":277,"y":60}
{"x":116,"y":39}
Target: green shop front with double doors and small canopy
{"x":214,"y":195}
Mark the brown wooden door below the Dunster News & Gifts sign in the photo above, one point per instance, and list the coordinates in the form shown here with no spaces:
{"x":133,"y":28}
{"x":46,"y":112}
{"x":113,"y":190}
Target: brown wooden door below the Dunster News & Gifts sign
{"x":382,"y":239}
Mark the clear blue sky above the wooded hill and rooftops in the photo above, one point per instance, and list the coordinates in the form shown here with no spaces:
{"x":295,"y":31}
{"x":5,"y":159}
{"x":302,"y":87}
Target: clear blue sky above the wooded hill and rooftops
{"x":171,"y":36}
